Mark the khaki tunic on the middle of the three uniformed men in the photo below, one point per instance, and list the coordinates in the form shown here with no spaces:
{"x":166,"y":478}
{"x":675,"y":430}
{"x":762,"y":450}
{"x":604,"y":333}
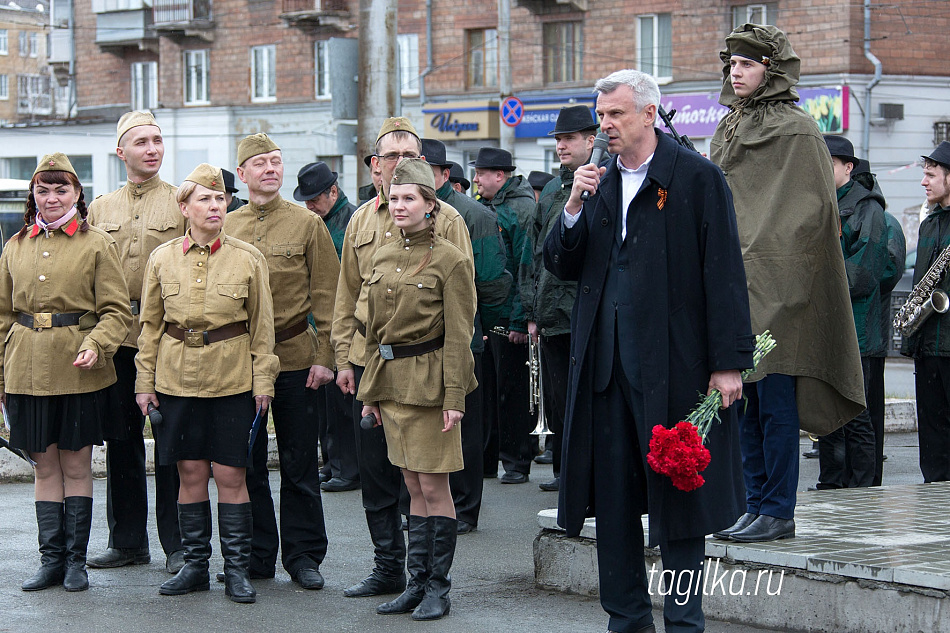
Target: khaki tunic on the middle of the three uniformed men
{"x":303,"y":274}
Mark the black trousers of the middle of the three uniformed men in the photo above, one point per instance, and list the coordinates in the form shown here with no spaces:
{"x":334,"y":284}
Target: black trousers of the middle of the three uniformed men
{"x":303,"y":534}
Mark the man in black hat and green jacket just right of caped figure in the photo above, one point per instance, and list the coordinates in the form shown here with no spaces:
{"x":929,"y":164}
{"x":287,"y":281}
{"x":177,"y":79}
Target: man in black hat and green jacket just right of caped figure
{"x":847,"y":455}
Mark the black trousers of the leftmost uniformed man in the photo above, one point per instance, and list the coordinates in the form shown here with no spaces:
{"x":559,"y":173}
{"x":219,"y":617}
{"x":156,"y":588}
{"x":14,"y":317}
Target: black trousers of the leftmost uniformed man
{"x":126,"y":484}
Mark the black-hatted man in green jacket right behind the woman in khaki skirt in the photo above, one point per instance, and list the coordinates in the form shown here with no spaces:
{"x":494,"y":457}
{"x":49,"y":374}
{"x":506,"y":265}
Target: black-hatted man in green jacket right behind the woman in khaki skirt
{"x":492,"y":283}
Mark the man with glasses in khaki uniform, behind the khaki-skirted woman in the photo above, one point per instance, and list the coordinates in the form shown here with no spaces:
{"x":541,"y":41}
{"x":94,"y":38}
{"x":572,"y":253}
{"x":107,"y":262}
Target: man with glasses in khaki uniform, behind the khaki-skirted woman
{"x":370,"y":228}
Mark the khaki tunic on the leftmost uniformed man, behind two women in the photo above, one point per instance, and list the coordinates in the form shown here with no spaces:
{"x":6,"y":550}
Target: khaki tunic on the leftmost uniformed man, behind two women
{"x":139,"y":217}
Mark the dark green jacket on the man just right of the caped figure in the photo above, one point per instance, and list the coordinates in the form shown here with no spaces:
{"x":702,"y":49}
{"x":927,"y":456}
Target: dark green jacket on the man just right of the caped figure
{"x":864,"y":245}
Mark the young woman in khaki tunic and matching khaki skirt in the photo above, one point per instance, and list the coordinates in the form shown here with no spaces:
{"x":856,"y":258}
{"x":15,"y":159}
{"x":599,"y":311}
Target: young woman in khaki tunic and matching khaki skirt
{"x":421,"y":306}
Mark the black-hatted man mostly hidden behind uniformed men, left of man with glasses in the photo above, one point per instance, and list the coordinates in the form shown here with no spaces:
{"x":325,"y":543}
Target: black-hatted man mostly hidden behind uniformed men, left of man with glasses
{"x":318,"y":188}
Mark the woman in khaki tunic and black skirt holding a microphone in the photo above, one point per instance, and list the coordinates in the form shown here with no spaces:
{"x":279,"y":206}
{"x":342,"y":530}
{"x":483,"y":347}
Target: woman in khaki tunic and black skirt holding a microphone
{"x":206,"y":356}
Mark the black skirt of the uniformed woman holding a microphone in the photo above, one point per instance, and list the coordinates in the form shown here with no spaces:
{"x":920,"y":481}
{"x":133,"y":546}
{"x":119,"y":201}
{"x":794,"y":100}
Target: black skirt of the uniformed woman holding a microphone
{"x":212,"y":429}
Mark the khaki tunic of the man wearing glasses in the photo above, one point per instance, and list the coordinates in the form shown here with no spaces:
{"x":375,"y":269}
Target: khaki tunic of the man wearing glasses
{"x":371,"y":228}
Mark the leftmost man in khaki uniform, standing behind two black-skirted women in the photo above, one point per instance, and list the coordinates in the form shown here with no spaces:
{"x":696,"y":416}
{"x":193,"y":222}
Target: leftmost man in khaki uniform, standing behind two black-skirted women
{"x":140,"y":216}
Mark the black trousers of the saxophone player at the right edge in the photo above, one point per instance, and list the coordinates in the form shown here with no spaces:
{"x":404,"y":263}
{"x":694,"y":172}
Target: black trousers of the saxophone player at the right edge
{"x":932,"y":378}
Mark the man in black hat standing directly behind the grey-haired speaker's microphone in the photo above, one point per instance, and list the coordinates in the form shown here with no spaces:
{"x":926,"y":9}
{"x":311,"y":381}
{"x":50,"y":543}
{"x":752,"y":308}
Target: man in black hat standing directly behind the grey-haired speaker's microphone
{"x":548,"y":301}
